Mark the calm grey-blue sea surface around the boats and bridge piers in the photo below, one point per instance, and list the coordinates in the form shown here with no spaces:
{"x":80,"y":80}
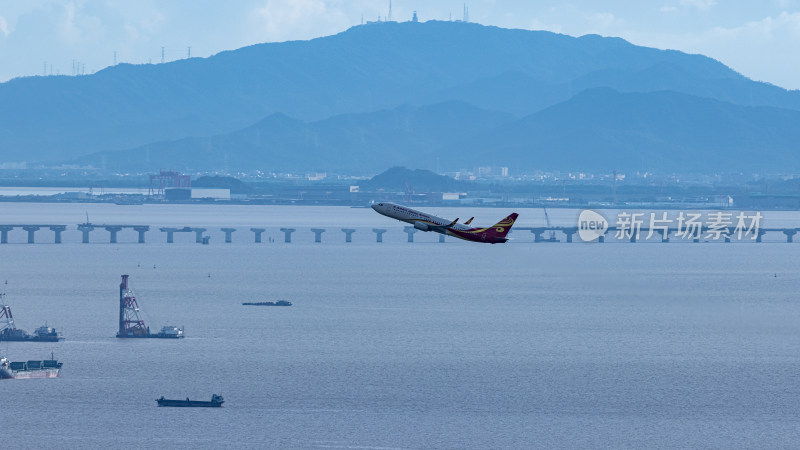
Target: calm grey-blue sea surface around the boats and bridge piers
{"x":399,"y":345}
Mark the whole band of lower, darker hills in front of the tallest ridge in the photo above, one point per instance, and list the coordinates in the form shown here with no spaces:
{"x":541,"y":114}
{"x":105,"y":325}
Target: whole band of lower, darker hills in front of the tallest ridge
{"x":597,"y":130}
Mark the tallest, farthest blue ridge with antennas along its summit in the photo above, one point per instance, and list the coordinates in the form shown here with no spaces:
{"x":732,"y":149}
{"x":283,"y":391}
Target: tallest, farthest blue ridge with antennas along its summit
{"x":362,"y":70}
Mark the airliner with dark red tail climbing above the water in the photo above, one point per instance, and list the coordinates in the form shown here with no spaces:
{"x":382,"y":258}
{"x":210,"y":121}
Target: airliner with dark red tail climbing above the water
{"x":496,"y":234}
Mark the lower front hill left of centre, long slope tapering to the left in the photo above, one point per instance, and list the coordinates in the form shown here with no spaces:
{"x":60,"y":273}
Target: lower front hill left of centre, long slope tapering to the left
{"x":359,"y":144}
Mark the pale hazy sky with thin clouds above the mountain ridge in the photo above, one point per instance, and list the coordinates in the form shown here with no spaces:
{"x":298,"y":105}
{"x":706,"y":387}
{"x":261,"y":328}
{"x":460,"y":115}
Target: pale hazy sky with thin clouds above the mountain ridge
{"x":758,"y":38}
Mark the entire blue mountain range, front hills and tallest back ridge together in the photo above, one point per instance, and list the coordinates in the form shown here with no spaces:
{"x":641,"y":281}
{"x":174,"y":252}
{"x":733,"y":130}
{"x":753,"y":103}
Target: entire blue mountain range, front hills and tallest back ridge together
{"x":433,"y":95}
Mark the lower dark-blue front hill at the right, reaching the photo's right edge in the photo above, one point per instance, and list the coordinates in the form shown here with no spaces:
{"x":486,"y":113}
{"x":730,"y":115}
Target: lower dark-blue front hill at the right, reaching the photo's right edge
{"x":601,"y":129}
